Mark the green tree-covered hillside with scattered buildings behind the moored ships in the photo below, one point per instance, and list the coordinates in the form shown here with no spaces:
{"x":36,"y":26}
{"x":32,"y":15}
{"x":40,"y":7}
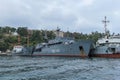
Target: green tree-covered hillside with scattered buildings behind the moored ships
{"x":11,"y":36}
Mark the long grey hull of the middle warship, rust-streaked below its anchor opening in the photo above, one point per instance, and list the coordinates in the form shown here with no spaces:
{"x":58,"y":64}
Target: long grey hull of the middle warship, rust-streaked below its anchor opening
{"x":83,"y":48}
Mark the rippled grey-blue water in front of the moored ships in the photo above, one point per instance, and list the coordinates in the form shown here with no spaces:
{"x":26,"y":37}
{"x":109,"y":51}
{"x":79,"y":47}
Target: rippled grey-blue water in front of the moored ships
{"x":58,"y":68}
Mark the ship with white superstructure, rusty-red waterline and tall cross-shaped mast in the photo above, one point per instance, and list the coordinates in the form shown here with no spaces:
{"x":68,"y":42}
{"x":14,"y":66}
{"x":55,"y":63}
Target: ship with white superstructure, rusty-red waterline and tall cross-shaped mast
{"x":108,"y":46}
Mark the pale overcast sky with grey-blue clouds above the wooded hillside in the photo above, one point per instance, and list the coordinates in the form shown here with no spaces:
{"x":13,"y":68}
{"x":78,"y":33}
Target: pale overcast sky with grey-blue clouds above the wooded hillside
{"x":73,"y":15}
